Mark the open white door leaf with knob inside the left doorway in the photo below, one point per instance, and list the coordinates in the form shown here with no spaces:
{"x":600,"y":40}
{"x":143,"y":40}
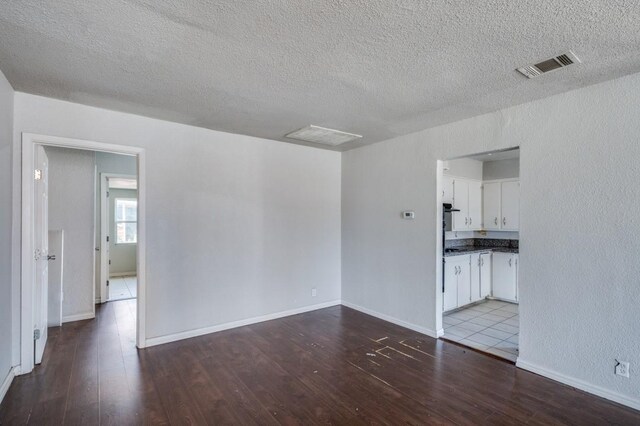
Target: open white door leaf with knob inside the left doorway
{"x":41,"y":254}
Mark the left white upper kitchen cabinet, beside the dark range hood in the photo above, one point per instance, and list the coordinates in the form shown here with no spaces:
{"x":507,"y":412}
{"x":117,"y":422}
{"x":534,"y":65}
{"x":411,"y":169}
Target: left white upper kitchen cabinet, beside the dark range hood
{"x":467,"y":197}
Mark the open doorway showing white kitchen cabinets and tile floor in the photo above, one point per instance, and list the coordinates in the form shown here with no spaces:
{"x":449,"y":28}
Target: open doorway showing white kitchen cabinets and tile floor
{"x":480,"y":252}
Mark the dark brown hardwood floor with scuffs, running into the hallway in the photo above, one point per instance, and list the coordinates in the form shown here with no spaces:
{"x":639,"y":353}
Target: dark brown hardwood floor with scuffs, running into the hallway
{"x":334,"y":365}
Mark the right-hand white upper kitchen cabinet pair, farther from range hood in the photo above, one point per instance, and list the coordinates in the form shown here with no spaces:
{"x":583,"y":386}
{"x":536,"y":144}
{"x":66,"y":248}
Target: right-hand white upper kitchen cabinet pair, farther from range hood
{"x":501,"y":206}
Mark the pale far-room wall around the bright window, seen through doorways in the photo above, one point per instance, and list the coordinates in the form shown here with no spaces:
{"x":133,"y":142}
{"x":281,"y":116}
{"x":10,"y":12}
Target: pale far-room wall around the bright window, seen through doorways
{"x":122,"y":256}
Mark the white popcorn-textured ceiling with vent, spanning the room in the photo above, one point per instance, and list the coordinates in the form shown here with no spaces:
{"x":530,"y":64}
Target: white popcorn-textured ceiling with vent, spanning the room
{"x":378,"y":68}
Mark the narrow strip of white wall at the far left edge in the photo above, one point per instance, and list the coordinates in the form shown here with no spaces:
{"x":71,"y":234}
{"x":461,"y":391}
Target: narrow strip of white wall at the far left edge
{"x":6,"y":294}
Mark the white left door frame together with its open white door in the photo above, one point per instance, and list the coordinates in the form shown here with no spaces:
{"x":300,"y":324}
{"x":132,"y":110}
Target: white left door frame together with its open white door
{"x":34,"y":291}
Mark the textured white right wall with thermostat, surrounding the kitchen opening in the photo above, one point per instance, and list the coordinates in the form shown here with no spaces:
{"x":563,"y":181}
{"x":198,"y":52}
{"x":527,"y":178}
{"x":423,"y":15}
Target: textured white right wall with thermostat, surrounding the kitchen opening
{"x":579,"y":268}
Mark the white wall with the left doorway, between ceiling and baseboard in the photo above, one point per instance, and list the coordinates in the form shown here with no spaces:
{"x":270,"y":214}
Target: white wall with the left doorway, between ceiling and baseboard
{"x":237,"y":227}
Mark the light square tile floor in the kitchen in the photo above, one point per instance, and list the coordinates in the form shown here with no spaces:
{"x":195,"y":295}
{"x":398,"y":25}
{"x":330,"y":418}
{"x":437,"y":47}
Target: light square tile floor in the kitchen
{"x":490,"y":326}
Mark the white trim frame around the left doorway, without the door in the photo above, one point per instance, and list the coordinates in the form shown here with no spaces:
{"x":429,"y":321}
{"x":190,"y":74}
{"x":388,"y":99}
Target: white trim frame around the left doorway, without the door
{"x":29,"y":142}
